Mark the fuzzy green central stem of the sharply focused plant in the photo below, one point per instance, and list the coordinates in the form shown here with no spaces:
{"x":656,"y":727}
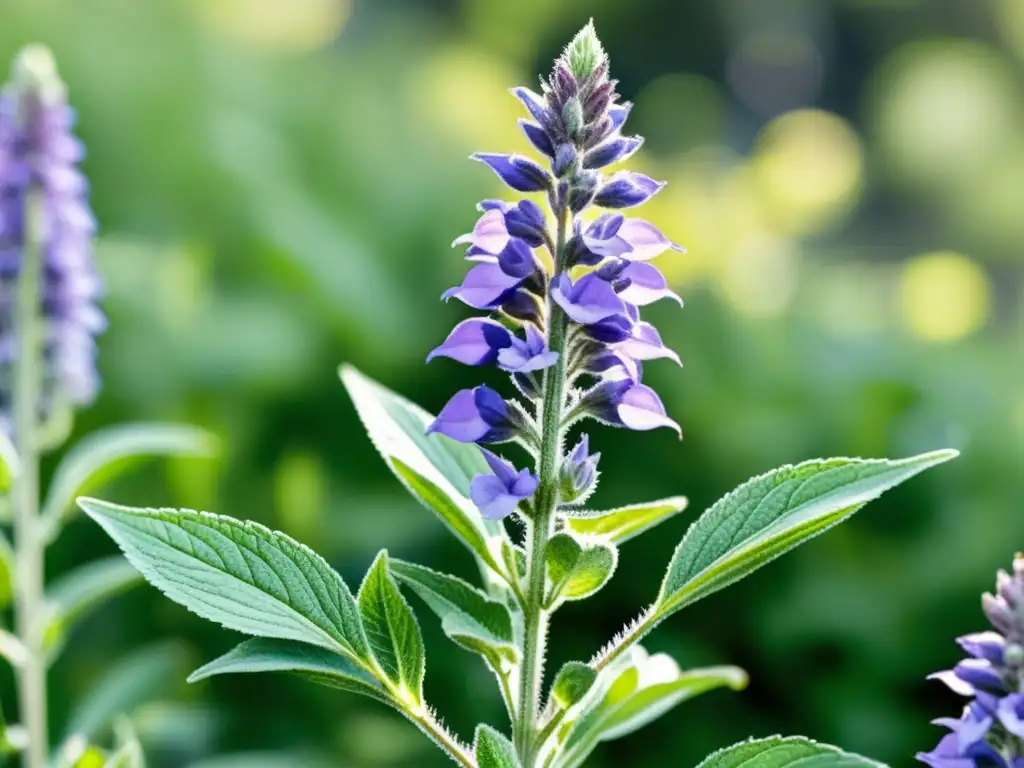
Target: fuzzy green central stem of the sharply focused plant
{"x":536,"y":618}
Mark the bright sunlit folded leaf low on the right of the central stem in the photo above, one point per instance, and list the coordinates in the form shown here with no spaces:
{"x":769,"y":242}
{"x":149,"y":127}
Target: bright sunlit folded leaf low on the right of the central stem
{"x":646,"y":690}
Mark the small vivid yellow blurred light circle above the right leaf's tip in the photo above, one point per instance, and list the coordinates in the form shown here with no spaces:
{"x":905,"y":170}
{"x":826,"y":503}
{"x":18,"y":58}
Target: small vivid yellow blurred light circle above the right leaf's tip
{"x":945,"y":296}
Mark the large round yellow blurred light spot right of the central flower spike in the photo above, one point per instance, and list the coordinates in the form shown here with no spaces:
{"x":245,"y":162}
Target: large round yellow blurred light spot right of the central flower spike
{"x":809,"y":166}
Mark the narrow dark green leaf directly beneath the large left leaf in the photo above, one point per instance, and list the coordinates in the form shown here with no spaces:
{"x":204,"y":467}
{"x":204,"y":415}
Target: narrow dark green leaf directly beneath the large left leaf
{"x":311,"y":662}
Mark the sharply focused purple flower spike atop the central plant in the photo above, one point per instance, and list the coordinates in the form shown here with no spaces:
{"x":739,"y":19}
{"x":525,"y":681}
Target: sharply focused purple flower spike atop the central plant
{"x":566,"y":296}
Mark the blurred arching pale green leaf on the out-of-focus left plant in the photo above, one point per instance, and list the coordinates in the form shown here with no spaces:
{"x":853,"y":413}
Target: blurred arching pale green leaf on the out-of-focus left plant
{"x":103,"y":456}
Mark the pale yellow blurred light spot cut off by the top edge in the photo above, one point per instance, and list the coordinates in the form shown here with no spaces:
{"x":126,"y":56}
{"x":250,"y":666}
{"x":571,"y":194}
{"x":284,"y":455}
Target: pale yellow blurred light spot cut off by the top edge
{"x":277,"y":26}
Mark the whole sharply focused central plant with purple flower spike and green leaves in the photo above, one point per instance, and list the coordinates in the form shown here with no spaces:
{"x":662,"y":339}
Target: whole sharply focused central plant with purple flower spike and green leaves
{"x":565,"y":289}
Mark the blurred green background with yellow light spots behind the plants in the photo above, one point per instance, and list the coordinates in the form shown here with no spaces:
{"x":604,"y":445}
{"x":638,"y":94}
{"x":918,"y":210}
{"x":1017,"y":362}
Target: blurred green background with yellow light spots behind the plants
{"x":278,"y":184}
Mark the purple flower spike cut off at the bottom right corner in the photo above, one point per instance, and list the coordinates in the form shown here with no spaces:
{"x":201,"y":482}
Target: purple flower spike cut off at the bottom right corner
{"x":991,"y":734}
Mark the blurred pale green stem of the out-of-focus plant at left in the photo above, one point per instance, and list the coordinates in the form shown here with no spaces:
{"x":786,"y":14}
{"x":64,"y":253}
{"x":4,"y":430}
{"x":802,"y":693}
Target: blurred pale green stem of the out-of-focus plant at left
{"x":29,"y":544}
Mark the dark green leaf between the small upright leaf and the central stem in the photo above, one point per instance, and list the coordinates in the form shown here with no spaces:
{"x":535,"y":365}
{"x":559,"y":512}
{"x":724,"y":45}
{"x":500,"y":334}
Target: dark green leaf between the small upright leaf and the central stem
{"x":458,"y":605}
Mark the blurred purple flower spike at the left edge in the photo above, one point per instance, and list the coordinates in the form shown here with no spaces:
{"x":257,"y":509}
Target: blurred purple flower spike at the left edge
{"x":39,"y":179}
